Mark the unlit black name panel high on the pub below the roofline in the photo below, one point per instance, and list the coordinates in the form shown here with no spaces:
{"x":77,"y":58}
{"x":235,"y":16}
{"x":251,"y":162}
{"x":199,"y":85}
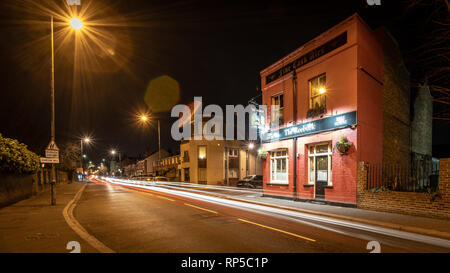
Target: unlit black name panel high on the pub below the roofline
{"x":308,"y":57}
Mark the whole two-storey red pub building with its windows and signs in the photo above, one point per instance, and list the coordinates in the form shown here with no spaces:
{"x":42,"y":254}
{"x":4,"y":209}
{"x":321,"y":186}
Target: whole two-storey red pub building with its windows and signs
{"x":325,"y":114}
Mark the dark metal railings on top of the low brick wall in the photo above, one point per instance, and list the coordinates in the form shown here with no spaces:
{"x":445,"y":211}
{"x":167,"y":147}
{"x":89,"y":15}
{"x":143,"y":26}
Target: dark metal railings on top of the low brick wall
{"x":420,"y":176}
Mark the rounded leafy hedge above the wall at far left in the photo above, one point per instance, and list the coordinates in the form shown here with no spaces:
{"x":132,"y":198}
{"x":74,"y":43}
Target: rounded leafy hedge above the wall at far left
{"x":15,"y":158}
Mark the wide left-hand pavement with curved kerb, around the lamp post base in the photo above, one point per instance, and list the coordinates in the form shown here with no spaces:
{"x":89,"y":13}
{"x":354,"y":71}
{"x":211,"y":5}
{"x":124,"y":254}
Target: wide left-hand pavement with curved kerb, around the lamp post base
{"x":33,"y":225}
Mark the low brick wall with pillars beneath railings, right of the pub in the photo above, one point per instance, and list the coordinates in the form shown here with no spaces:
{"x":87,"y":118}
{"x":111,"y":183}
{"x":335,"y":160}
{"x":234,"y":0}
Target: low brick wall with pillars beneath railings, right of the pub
{"x":412,"y":203}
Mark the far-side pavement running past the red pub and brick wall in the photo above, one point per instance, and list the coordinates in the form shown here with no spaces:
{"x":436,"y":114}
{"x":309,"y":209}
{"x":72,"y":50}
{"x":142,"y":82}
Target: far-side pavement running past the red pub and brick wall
{"x":422,"y":225}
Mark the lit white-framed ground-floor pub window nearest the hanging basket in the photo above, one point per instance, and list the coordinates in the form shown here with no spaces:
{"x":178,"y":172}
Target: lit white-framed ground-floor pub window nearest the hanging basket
{"x":319,"y":163}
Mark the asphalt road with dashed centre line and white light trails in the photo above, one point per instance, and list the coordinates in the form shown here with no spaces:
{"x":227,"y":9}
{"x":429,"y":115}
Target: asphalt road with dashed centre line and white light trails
{"x":138,"y":218}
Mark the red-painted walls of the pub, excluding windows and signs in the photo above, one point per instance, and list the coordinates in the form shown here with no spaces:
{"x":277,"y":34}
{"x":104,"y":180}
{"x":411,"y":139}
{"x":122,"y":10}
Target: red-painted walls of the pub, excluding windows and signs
{"x":347,"y":89}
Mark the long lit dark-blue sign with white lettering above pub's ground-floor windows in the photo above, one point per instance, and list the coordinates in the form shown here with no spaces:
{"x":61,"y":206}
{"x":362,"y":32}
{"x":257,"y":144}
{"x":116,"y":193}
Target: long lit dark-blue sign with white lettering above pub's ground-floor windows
{"x":313,"y":127}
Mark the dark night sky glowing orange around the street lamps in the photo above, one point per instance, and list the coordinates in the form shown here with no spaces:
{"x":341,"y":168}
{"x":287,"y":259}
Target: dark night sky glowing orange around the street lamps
{"x":213,"y":49}
